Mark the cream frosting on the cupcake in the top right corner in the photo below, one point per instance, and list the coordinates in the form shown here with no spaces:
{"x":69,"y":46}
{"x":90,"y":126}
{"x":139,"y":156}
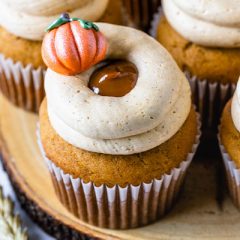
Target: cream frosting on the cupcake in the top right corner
{"x":214,"y":23}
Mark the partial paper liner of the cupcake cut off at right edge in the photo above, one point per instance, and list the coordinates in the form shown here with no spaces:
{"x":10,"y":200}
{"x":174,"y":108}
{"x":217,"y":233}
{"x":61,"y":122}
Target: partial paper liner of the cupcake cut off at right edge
{"x":232,"y":174}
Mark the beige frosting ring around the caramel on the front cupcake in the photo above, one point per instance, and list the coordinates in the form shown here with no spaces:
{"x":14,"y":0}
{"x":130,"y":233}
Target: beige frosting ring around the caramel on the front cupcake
{"x":149,"y":115}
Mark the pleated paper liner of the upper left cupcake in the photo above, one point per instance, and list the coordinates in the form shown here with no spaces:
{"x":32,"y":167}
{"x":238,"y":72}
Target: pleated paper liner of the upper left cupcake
{"x":22,"y":85}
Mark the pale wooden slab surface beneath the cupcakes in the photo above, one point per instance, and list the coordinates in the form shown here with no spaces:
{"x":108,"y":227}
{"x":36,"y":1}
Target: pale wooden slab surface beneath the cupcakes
{"x":203,"y":211}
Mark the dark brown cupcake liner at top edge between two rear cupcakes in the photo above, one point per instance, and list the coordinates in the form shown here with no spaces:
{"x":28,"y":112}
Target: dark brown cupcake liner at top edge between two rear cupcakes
{"x":140,"y":12}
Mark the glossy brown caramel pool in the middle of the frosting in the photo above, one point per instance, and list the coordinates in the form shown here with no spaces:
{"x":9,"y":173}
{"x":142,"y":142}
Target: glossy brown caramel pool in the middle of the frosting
{"x":115,"y":79}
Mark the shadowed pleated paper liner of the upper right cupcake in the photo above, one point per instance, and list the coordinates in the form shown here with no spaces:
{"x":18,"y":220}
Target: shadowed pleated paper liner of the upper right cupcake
{"x":209,"y":98}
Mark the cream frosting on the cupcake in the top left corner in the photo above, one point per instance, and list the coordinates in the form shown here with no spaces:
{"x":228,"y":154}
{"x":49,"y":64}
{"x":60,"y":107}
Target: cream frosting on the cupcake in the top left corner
{"x":28,"y":19}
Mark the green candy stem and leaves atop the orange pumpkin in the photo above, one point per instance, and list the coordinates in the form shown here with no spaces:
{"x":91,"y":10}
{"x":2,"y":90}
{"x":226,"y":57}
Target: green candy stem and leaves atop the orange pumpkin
{"x":64,"y":18}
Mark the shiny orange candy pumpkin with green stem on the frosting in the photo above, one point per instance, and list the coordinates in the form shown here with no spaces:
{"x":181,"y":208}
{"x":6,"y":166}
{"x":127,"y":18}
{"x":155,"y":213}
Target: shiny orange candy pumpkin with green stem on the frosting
{"x":73,"y":45}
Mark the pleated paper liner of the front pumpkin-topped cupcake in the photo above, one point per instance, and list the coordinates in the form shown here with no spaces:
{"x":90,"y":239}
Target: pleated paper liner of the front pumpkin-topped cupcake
{"x":119,"y":207}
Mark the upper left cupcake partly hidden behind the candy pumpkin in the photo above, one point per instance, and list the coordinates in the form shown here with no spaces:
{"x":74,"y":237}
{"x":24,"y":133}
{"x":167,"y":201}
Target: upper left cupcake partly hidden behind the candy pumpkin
{"x":21,"y":31}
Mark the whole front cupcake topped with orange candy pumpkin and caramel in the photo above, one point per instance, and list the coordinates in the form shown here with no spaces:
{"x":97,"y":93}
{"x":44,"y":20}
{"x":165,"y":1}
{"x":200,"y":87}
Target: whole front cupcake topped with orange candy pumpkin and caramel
{"x":117,"y":128}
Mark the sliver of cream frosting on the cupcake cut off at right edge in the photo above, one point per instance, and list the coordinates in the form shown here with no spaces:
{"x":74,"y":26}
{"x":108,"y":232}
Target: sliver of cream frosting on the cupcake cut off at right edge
{"x":235,"y":108}
